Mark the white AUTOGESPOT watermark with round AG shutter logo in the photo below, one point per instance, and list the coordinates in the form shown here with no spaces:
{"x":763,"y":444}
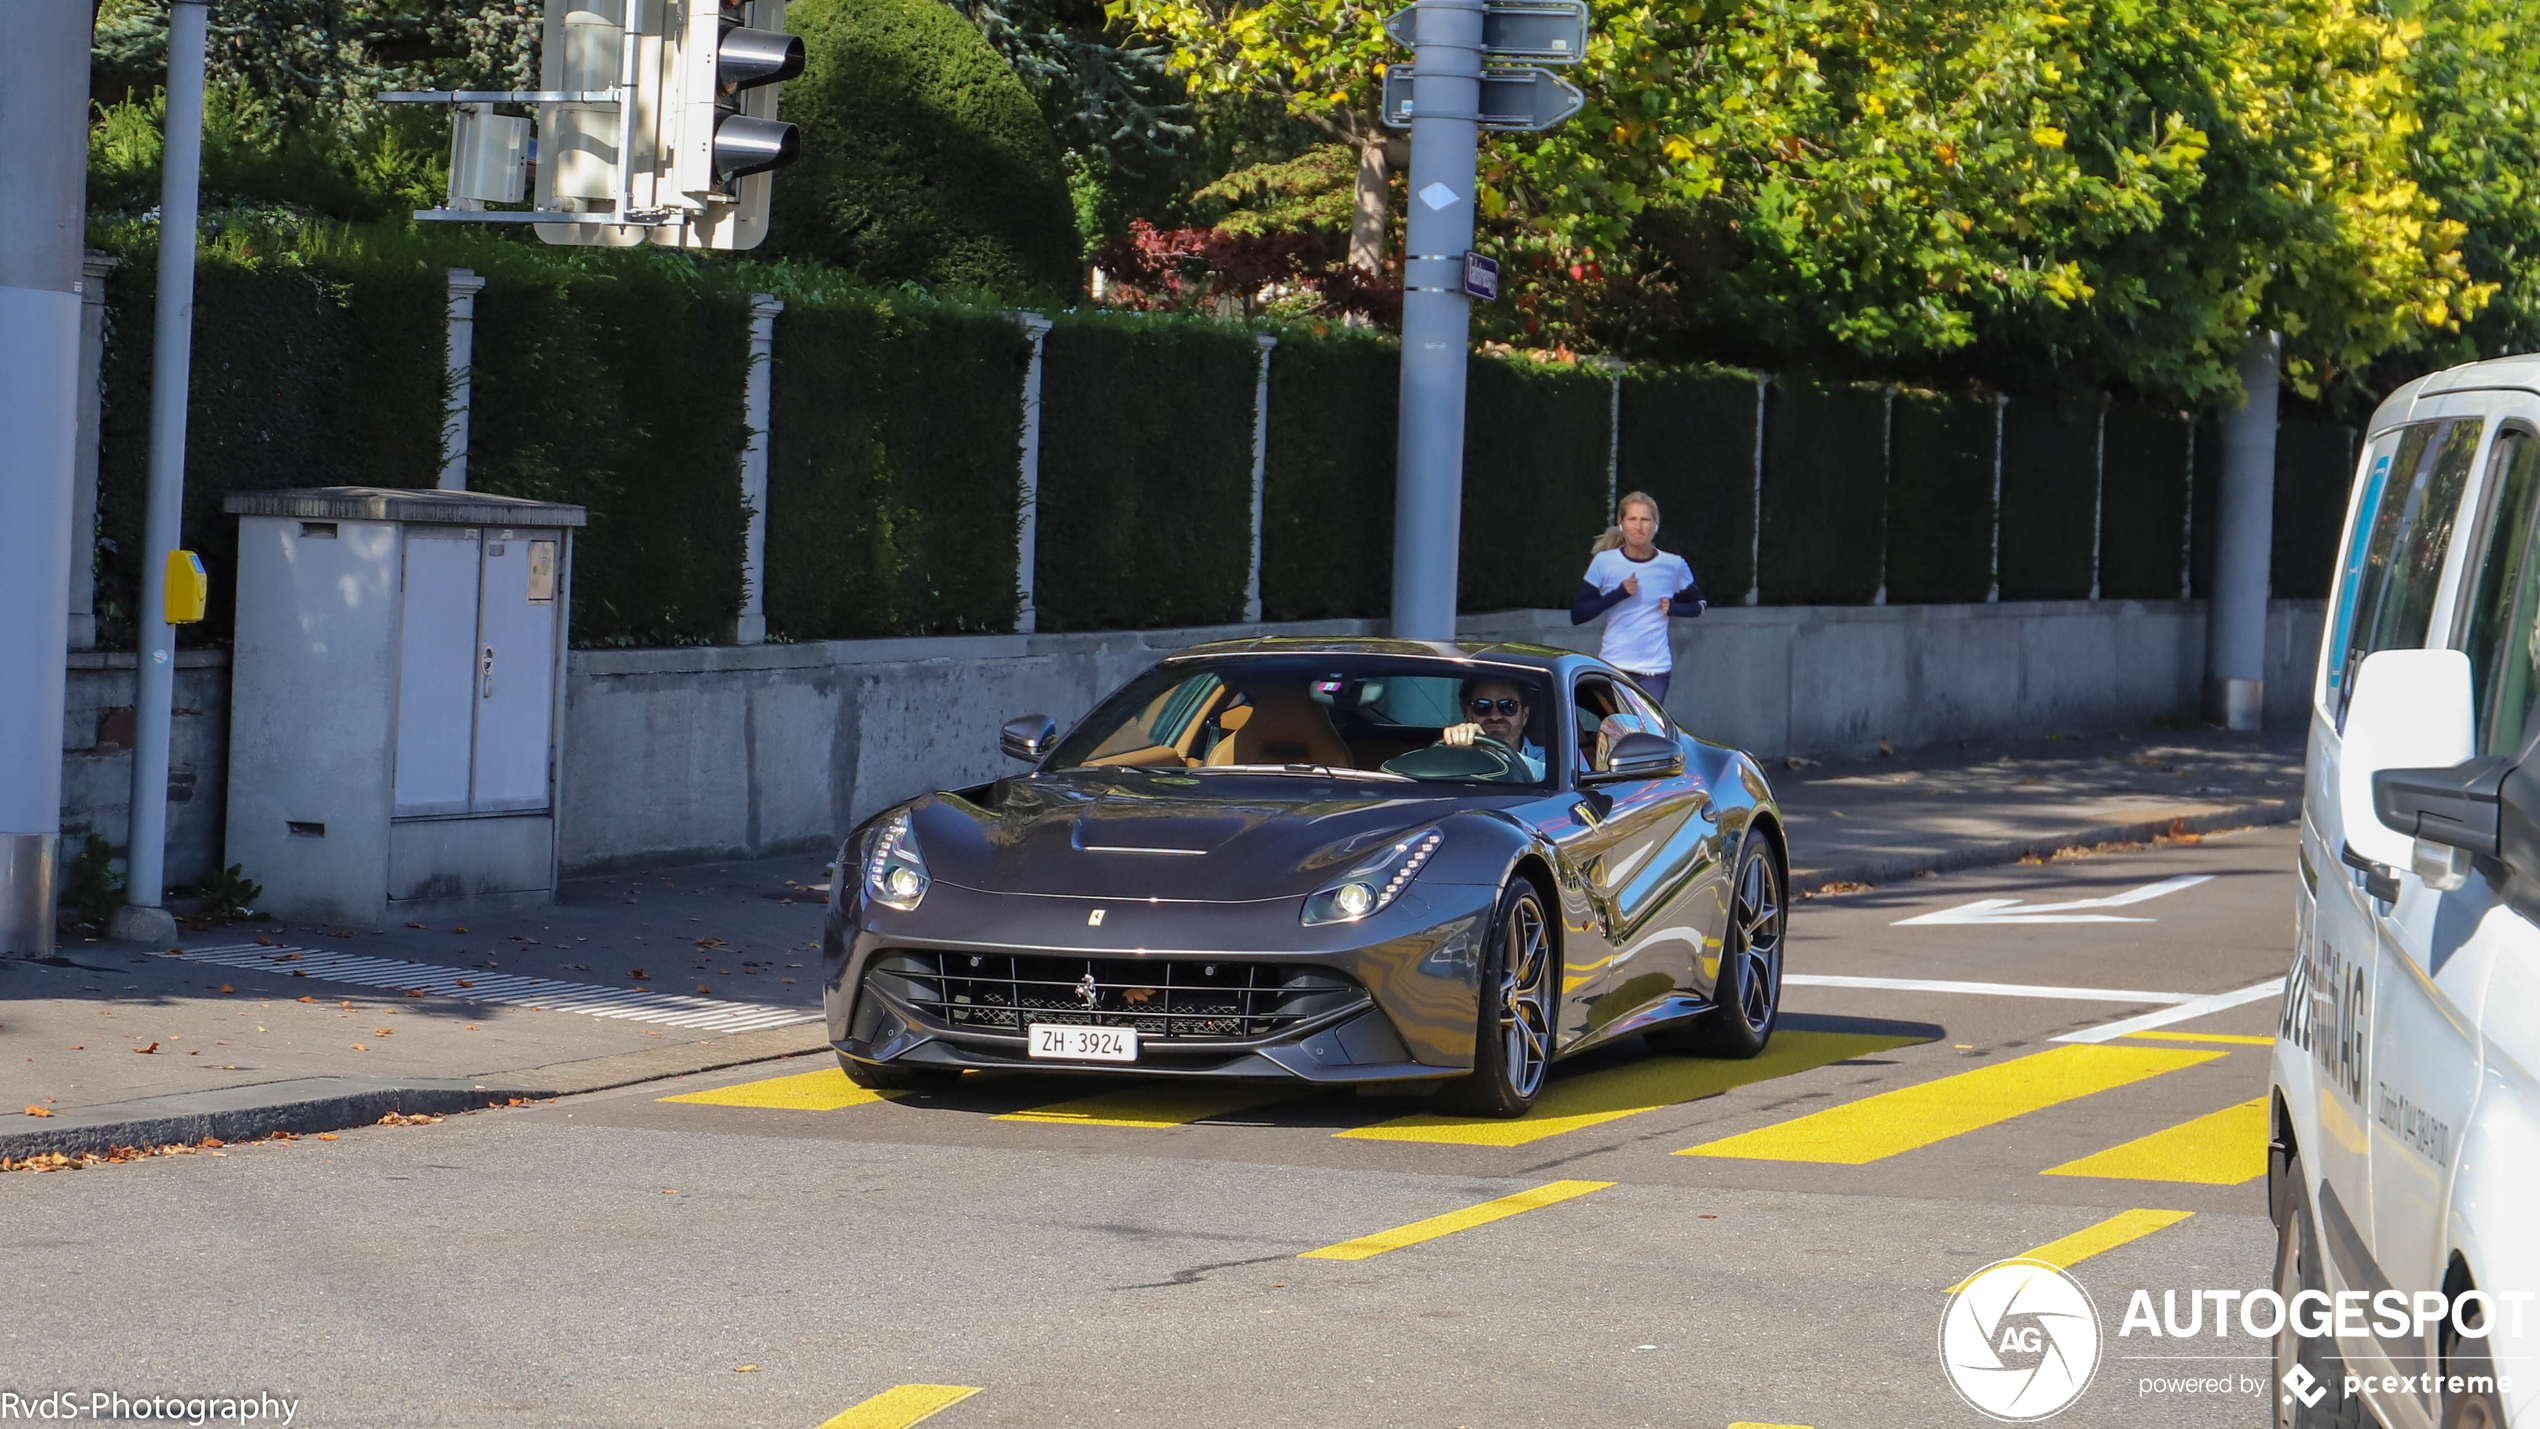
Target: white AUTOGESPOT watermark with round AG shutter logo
{"x":2023,"y":1341}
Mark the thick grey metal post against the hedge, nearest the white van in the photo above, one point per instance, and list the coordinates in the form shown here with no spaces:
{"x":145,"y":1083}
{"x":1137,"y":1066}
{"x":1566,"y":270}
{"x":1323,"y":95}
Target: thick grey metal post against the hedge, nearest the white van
{"x":2244,"y":539}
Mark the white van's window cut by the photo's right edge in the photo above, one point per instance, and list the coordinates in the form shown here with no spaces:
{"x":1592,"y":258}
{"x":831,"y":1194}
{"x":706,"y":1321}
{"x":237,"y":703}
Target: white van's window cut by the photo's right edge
{"x":2503,"y":631}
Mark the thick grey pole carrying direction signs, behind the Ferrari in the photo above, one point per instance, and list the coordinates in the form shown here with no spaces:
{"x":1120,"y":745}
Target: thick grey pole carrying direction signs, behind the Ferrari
{"x":1436,"y":316}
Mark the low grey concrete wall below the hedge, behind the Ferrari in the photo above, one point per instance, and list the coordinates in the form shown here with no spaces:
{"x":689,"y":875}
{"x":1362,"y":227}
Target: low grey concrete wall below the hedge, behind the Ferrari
{"x":733,"y":753}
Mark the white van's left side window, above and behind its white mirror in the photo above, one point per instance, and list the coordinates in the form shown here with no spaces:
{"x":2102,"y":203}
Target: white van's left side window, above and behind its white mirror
{"x":2396,"y":565}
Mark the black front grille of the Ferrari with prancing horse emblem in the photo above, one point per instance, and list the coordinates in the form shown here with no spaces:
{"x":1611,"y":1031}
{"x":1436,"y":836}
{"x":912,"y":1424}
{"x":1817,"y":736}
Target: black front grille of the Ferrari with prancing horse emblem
{"x":1175,"y":999}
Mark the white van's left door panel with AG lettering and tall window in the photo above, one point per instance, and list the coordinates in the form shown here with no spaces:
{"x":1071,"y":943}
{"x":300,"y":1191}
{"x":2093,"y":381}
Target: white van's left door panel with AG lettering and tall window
{"x":2389,"y":588}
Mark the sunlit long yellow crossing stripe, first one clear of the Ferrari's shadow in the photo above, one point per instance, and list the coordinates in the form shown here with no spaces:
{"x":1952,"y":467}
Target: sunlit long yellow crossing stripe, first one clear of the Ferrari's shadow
{"x":1909,"y":1118}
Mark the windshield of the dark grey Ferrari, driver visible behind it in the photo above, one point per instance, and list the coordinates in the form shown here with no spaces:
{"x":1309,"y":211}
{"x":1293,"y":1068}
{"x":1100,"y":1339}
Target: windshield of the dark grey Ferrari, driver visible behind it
{"x":1322,"y":714}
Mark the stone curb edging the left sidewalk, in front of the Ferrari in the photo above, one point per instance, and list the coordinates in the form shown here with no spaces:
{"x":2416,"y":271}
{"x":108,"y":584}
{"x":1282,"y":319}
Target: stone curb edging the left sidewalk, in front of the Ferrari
{"x":339,"y":1103}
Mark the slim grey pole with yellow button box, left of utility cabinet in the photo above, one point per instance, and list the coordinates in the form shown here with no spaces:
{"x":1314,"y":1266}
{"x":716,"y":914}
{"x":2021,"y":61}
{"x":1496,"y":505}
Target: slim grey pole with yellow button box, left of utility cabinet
{"x":164,"y":527}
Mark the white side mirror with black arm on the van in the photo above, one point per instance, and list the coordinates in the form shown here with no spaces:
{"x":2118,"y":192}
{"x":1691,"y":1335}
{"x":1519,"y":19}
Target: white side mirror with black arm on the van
{"x":2409,"y":720}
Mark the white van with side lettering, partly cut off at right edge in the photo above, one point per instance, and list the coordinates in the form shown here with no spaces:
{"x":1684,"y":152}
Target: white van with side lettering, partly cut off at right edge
{"x":2407,"y":1070}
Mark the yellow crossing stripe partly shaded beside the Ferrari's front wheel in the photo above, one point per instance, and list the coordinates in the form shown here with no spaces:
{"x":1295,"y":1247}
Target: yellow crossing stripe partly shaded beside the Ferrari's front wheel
{"x":1627,"y":1093}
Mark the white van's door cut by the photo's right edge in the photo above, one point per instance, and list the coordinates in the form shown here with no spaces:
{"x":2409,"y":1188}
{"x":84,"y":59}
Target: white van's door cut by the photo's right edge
{"x":2437,"y":948}
